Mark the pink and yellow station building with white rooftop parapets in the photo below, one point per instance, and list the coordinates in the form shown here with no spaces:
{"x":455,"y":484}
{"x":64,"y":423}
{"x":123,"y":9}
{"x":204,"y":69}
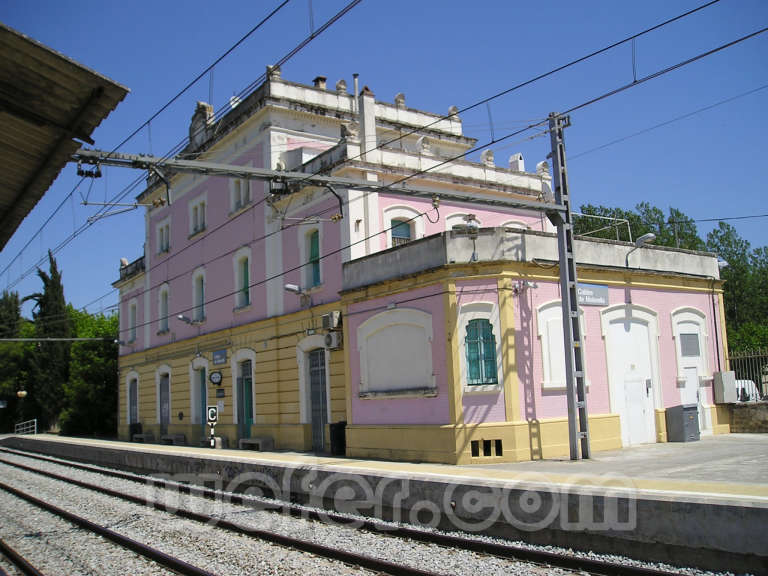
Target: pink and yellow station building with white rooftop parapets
{"x":378,"y":308}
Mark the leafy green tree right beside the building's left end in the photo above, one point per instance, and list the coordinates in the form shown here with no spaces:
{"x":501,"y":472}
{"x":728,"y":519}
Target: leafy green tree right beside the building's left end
{"x":91,"y":393}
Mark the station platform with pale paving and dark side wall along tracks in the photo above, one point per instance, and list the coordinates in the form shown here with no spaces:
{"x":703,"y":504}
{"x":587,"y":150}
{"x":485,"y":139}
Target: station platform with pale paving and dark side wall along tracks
{"x":701,"y":503}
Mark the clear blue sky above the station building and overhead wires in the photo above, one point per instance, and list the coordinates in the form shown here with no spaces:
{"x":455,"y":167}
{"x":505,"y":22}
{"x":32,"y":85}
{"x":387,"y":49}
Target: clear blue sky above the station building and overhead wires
{"x":706,"y":159}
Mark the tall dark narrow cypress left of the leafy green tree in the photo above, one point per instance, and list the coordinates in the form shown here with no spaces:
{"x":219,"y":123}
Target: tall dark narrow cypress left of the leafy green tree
{"x":49,"y":366}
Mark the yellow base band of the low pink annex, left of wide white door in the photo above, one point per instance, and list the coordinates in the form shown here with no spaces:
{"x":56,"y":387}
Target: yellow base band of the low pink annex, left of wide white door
{"x":492,"y":443}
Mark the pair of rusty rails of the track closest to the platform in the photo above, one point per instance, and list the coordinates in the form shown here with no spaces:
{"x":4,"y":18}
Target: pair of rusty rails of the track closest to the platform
{"x":543,"y":558}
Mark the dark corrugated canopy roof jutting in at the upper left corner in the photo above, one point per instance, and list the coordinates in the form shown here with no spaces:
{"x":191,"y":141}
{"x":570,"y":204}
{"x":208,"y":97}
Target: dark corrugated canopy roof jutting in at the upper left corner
{"x":47,"y":103}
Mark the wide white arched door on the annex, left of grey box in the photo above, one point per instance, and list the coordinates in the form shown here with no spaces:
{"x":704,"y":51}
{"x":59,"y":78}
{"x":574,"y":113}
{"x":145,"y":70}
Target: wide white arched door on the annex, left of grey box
{"x":631,"y":373}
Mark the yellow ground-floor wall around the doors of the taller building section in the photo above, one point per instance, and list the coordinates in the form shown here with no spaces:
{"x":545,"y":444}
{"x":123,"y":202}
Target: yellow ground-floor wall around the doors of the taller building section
{"x":276,"y":389}
